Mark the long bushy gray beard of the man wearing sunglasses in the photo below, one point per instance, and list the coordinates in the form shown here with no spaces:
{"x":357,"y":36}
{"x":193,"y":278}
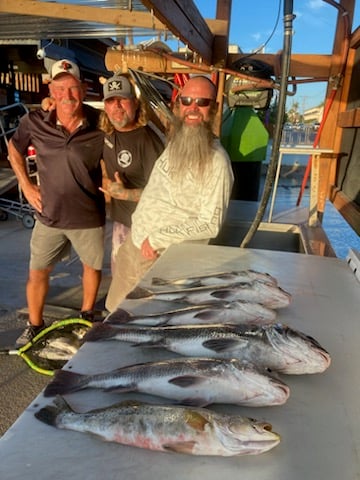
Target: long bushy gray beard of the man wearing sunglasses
{"x":190,"y":149}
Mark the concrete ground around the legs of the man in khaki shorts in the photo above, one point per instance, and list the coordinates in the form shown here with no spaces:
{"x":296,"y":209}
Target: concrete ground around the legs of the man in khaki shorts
{"x":19,"y":384}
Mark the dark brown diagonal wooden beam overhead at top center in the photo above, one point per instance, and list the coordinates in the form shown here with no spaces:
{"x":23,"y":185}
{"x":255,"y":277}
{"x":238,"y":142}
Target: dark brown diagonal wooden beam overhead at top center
{"x":185,"y":21}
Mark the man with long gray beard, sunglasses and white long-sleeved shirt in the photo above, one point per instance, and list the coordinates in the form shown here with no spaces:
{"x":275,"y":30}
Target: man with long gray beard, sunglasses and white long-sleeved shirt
{"x":187,"y":195}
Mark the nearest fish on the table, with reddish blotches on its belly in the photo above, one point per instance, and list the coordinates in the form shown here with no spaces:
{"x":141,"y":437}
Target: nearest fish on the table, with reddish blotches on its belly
{"x":180,"y":429}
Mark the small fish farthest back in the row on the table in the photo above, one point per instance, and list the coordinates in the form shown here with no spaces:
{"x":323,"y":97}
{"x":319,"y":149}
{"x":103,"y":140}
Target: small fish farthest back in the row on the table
{"x":241,"y":276}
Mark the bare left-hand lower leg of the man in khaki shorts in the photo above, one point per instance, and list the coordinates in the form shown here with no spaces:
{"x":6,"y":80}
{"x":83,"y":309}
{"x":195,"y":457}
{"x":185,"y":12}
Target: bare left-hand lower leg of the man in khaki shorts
{"x":37,"y":288}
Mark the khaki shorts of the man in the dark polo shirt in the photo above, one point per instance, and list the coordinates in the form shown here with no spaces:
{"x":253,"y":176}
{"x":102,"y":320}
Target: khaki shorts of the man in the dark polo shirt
{"x":50,"y":245}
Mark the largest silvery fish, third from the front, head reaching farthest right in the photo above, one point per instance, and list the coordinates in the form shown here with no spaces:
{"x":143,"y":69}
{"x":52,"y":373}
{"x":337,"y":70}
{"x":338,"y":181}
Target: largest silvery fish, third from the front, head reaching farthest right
{"x":276,"y":347}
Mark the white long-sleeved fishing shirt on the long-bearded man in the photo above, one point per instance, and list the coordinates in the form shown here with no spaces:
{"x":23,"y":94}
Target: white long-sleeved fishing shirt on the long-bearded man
{"x":172,"y":212}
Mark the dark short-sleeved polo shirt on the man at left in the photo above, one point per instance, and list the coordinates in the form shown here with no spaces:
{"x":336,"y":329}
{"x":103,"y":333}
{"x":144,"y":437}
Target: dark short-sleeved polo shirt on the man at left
{"x":68,"y":166}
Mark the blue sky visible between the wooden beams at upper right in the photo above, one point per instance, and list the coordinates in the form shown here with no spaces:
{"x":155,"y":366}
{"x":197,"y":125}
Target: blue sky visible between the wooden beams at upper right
{"x":253,"y":23}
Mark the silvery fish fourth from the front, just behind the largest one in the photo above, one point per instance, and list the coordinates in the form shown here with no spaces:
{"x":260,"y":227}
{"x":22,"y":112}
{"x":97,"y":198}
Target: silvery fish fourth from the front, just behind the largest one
{"x":221,"y":312}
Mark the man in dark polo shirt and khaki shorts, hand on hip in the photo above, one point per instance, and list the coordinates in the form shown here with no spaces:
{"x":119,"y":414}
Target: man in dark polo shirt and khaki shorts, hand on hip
{"x":69,"y":207}
